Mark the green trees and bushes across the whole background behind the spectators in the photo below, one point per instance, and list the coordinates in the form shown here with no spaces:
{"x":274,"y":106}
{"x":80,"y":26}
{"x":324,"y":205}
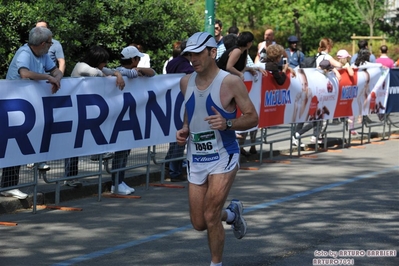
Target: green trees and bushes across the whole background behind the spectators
{"x":156,"y":24}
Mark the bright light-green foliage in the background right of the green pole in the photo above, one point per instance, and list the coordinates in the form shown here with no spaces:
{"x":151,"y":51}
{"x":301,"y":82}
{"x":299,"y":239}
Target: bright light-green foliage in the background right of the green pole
{"x":337,"y":19}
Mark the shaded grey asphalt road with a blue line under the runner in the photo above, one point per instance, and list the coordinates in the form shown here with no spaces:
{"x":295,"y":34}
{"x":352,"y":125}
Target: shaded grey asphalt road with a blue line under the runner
{"x":299,"y":212}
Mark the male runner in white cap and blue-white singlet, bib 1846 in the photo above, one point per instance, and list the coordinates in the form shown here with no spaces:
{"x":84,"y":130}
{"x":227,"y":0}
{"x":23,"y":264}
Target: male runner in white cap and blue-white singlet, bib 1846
{"x":211,"y":98}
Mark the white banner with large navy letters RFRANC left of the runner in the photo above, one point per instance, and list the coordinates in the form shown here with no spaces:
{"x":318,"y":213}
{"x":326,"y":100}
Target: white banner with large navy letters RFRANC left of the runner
{"x":86,"y":116}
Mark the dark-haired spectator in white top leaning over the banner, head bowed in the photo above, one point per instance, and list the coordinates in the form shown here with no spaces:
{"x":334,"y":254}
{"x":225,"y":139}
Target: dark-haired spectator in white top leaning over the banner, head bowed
{"x":92,"y":65}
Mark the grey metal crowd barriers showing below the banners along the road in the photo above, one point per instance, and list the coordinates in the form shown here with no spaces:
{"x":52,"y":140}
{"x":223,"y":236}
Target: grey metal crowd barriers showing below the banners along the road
{"x":141,"y":157}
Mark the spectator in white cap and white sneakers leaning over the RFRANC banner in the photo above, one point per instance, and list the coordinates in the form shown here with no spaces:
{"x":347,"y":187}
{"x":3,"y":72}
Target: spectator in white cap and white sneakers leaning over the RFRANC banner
{"x":130,"y":58}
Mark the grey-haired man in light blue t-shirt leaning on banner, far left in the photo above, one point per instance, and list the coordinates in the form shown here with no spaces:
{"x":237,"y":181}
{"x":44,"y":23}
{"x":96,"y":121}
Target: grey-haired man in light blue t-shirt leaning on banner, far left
{"x":31,"y":61}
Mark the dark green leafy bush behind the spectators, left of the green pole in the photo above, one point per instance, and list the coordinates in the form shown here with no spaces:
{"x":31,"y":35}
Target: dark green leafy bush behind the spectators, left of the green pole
{"x":114,"y":24}
